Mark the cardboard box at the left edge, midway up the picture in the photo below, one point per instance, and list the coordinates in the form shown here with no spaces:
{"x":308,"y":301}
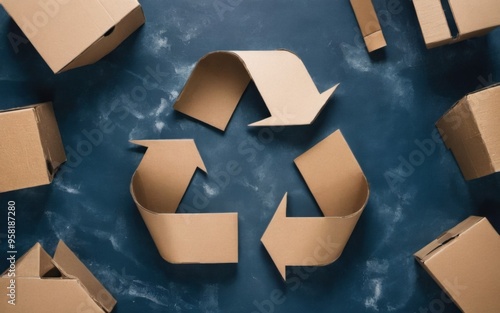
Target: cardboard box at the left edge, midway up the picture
{"x":31,"y":149}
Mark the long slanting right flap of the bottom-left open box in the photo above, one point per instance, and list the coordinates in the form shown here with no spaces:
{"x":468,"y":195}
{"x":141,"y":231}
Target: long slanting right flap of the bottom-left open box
{"x":70,"y":266}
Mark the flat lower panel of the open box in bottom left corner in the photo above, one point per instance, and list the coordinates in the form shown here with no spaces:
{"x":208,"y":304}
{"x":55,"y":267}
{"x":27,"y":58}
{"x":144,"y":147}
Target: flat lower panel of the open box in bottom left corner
{"x":49,"y":296}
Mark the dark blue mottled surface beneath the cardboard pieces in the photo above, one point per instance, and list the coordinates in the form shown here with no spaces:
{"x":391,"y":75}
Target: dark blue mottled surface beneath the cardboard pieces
{"x":383,"y":105}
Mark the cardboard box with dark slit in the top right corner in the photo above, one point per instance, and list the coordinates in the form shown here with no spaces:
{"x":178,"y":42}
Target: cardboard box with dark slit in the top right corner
{"x":473,"y":18}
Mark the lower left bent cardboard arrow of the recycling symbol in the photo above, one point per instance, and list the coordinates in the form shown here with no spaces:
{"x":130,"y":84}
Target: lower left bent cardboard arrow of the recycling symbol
{"x":157,"y":187}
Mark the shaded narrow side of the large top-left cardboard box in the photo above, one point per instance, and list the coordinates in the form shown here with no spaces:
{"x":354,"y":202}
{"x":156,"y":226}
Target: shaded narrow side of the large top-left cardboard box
{"x":112,"y":39}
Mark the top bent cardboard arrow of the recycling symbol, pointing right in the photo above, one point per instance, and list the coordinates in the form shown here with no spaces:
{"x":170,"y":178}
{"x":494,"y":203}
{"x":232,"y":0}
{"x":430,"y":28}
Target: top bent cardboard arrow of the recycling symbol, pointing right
{"x":218,"y":81}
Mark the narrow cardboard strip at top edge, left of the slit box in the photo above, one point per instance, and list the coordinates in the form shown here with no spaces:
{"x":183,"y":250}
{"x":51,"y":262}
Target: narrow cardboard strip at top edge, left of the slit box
{"x":369,"y":24}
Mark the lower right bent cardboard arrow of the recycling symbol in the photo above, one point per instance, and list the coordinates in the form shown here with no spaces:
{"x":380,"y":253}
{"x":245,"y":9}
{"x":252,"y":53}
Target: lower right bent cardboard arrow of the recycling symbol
{"x":341,"y":190}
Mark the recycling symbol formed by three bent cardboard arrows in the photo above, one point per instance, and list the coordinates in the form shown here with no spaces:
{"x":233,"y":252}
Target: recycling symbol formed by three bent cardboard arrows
{"x":329,"y":169}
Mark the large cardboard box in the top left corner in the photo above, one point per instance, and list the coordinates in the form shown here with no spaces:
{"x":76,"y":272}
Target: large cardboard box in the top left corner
{"x":74,"y":33}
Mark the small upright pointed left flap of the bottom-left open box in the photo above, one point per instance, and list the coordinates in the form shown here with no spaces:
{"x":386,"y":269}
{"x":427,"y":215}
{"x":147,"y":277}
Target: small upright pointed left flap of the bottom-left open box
{"x":34,"y":263}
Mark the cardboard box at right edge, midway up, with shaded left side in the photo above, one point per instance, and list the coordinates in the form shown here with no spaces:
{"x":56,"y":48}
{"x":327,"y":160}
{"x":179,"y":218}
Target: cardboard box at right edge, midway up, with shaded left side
{"x":470,"y":129}
